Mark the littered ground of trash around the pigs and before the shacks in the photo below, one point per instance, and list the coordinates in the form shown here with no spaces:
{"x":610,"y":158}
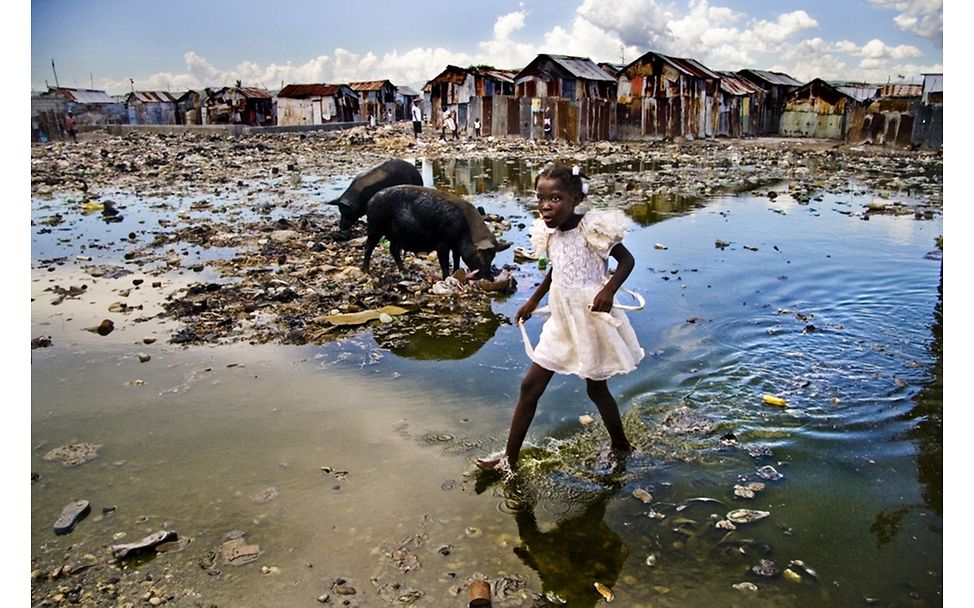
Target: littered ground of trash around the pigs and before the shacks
{"x":295,"y":279}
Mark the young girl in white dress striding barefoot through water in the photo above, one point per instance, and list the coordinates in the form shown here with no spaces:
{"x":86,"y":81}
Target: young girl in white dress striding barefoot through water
{"x":585,"y":335}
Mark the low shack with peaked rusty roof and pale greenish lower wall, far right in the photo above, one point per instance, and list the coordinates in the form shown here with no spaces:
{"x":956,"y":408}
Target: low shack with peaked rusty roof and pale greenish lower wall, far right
{"x":818,"y":109}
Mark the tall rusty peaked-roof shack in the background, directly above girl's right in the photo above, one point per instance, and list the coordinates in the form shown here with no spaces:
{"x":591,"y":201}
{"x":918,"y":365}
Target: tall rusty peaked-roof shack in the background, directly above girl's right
{"x":670,"y":97}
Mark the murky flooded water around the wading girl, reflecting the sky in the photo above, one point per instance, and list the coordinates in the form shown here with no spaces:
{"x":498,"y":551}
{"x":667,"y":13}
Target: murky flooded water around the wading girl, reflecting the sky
{"x":370,"y":449}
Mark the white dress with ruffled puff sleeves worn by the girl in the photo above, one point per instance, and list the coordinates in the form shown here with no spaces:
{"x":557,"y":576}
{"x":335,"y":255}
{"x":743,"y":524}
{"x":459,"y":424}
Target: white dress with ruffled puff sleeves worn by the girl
{"x":575,"y":340}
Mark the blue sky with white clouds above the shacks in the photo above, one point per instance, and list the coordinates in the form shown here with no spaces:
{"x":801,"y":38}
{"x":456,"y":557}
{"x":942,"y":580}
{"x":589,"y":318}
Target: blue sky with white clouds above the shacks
{"x":177,"y":45}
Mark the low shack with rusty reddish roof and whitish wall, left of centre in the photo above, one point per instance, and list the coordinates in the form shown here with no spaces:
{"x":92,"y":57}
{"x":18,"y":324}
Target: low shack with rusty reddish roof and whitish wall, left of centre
{"x":316,"y":104}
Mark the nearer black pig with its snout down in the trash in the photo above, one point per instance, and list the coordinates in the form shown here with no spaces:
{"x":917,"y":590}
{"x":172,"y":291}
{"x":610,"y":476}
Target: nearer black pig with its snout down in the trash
{"x":418,"y":219}
